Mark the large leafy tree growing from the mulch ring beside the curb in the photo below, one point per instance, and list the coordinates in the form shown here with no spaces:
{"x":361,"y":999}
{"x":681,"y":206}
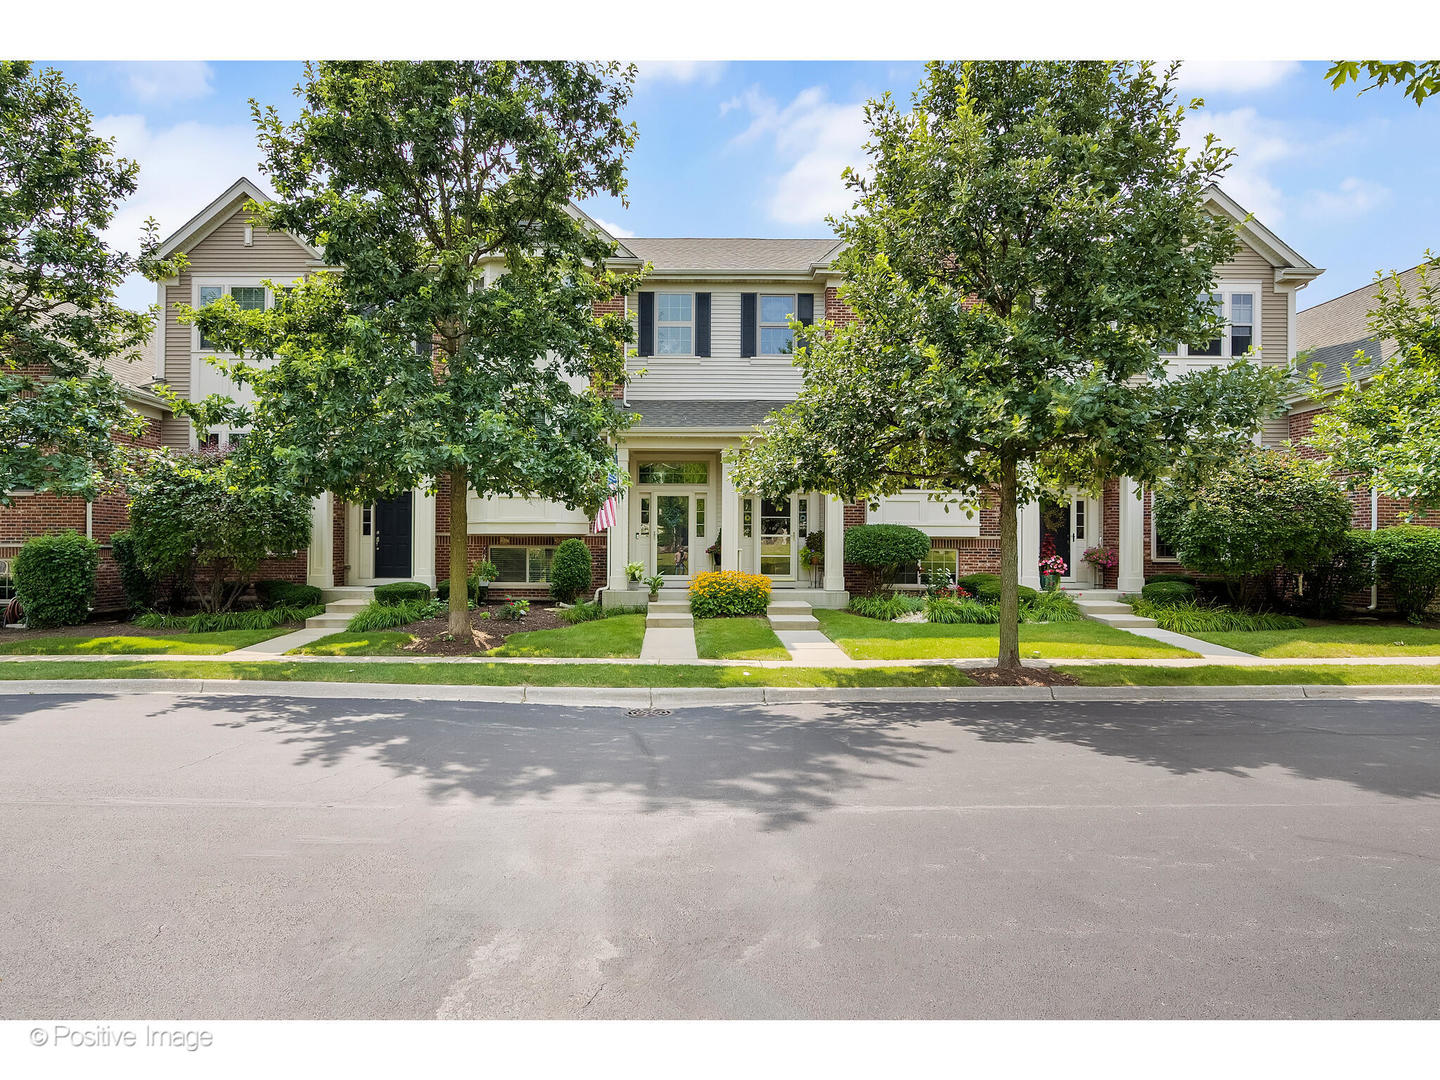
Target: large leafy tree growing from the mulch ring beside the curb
{"x":1030,"y":237}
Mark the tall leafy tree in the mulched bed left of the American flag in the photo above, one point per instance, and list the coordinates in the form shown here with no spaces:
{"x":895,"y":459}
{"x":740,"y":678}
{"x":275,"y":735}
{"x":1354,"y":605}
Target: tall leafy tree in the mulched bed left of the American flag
{"x":459,"y":342}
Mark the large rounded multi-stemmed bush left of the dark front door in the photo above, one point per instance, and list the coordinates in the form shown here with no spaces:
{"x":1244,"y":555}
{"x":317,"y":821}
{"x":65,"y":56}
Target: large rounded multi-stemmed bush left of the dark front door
{"x":192,"y":513}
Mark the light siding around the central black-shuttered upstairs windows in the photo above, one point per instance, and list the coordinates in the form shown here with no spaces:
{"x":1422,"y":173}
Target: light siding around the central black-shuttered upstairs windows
{"x":724,"y":375}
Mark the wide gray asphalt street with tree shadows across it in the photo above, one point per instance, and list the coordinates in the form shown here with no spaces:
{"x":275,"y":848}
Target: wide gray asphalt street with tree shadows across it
{"x":274,"y":858}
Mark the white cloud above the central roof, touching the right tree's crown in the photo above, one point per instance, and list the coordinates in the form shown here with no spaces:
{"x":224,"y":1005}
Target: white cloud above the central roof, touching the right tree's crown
{"x":819,"y":138}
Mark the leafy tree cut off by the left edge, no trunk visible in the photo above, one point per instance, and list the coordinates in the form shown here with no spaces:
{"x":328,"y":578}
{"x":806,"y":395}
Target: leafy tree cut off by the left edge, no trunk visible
{"x":61,"y":410}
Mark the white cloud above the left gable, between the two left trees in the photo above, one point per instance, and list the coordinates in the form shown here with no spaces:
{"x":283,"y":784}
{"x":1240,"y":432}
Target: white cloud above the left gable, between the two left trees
{"x":182,"y":169}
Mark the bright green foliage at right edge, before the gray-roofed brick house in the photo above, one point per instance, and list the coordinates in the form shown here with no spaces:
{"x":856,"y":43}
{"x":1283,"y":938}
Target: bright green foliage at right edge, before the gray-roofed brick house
{"x":1386,"y":431}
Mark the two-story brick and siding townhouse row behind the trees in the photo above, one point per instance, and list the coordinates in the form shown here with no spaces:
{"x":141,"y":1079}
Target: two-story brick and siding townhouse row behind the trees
{"x":712,"y":362}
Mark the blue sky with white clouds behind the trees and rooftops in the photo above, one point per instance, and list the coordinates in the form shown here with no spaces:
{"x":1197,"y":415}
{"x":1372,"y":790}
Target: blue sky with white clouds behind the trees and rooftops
{"x":757,"y":149}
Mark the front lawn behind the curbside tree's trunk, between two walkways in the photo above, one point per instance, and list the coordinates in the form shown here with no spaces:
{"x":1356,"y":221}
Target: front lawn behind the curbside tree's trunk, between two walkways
{"x":872,"y":640}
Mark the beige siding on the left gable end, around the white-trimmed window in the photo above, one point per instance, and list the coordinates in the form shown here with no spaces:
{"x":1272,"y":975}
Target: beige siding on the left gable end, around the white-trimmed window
{"x":221,"y":254}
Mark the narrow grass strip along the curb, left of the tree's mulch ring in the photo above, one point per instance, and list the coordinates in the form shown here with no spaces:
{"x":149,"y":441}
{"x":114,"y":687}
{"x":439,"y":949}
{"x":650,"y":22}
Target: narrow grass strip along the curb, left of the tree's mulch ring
{"x":490,"y":675}
